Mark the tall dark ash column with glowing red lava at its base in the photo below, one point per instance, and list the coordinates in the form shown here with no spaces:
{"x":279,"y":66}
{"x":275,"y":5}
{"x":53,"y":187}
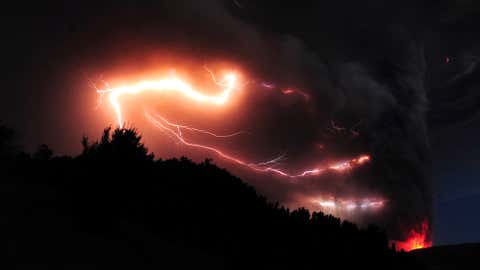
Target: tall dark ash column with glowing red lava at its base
{"x":397,"y":137}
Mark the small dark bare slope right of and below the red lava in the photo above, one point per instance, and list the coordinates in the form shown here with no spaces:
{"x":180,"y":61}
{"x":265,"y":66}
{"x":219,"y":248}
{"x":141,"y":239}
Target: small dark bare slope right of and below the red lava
{"x":466,"y":256}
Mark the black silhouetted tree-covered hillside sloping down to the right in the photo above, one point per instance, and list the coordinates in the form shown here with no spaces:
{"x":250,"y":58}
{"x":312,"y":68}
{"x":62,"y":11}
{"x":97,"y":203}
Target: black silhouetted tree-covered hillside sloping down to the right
{"x":114,"y":206}
